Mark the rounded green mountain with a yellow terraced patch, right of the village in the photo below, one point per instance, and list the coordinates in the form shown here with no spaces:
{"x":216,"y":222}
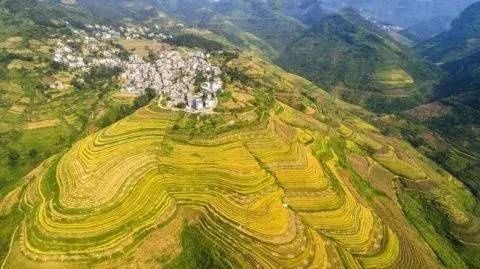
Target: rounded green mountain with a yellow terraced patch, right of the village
{"x":348,"y":54}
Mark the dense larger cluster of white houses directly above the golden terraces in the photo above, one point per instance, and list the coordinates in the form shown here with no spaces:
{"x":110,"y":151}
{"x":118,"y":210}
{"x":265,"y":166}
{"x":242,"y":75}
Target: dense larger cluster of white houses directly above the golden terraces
{"x":186,"y":81}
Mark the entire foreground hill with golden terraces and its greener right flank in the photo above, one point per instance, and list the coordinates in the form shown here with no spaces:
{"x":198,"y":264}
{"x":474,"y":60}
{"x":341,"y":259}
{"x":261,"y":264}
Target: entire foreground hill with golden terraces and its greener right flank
{"x":337,"y":189}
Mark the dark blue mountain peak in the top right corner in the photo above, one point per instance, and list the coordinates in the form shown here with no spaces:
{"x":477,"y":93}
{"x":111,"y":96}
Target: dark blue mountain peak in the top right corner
{"x":462,"y":40}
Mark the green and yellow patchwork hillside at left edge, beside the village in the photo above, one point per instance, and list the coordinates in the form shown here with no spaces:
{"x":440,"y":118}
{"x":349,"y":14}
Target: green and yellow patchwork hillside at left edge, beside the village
{"x":38,"y":120}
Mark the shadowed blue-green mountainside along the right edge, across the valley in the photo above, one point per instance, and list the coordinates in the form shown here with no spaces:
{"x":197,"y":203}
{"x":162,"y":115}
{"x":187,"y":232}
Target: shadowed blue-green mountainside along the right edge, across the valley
{"x":453,"y":119}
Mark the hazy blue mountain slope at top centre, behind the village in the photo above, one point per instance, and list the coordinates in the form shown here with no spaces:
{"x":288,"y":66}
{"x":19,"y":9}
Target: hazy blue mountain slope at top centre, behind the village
{"x":235,"y":18}
